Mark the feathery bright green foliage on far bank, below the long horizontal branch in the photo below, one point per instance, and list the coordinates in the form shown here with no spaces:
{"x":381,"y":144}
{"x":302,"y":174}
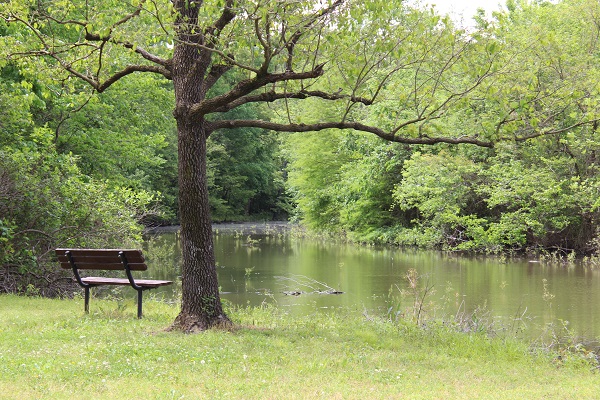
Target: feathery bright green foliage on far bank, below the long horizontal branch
{"x":343,"y":182}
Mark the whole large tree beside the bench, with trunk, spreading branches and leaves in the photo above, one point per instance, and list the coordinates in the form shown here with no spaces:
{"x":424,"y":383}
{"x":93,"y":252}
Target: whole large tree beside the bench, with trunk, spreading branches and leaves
{"x":369,"y":55}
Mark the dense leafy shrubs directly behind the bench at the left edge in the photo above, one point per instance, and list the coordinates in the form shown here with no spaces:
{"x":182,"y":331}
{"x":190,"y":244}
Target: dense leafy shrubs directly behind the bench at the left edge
{"x":45,"y":199}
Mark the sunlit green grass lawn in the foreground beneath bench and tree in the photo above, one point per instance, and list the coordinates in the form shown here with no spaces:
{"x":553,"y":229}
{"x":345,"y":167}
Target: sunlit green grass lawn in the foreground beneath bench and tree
{"x":50,"y":349}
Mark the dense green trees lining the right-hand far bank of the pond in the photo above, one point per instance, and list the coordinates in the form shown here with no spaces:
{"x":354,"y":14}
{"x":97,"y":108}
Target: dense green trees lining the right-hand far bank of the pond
{"x":540,"y":194}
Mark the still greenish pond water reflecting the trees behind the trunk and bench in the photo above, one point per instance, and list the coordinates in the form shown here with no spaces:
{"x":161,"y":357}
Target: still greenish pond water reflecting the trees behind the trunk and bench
{"x":255,"y":268}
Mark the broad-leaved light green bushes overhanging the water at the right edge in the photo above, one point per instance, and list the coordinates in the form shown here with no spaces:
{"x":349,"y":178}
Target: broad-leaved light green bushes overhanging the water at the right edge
{"x":515,"y":199}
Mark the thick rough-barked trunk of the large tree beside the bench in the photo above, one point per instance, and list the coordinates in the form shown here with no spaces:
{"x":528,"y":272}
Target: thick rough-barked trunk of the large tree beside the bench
{"x":200,"y":304}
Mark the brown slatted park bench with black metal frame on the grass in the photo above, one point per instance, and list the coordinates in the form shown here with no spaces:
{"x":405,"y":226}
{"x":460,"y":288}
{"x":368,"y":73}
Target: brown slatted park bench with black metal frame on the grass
{"x":108,"y":260}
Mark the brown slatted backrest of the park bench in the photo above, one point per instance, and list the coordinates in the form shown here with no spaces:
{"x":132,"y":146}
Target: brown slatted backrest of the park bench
{"x":103,"y":259}
